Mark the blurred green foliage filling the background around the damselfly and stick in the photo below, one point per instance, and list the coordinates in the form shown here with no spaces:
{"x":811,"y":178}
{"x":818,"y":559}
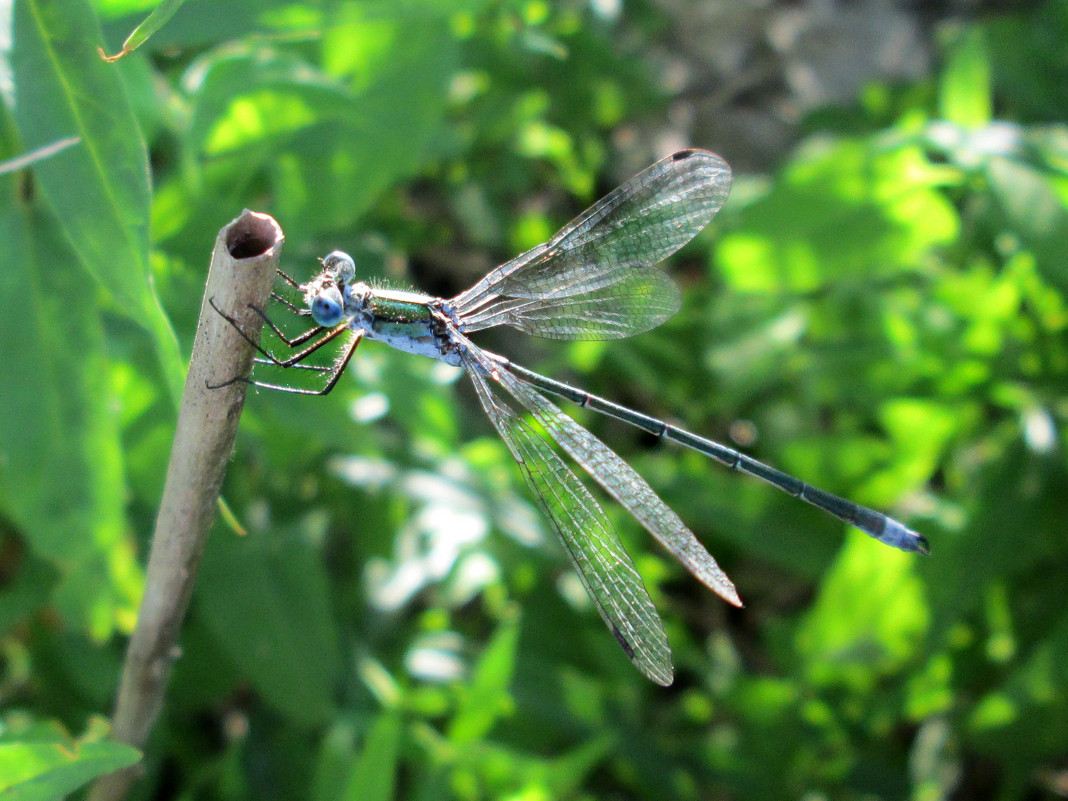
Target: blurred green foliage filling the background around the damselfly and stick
{"x":884,"y":313}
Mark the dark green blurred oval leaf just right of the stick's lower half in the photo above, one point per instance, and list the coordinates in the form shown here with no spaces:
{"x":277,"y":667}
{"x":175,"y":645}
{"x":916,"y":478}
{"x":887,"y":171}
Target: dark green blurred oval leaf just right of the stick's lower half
{"x":265,"y":599}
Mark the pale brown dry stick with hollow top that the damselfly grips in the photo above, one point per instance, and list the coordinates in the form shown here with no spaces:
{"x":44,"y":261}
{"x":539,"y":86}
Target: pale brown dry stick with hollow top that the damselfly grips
{"x":243,"y":270}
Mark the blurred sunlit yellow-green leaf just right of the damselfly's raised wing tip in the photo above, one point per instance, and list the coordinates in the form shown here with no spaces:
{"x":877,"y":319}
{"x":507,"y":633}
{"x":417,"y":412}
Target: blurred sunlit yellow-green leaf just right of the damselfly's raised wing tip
{"x":868,"y":211}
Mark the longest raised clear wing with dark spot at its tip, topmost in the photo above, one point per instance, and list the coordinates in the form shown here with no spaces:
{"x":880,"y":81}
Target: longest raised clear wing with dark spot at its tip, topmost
{"x":632,"y":229}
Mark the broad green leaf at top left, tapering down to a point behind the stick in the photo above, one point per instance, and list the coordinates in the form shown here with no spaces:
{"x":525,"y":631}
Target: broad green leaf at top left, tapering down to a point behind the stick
{"x":99,"y":190}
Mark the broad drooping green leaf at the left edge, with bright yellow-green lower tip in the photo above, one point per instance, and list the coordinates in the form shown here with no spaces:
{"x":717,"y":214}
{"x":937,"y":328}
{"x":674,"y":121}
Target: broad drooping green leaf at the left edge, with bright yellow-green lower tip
{"x":61,"y":461}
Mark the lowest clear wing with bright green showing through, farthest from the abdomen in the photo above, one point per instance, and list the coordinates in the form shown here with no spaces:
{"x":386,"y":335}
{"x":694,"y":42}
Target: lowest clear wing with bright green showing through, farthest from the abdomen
{"x":604,"y":567}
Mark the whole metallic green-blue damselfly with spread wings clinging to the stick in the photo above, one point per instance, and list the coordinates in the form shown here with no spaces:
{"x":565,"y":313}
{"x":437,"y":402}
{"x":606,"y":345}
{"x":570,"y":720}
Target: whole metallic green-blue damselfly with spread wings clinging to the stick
{"x":596,"y":279}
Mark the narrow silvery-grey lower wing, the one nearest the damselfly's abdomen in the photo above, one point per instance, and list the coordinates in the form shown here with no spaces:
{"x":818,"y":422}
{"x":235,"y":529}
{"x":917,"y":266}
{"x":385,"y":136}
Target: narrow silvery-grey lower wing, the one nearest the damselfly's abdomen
{"x":625,"y":485}
